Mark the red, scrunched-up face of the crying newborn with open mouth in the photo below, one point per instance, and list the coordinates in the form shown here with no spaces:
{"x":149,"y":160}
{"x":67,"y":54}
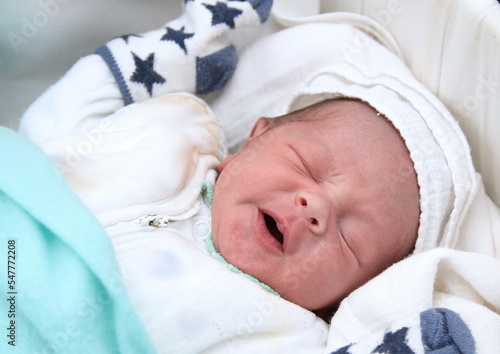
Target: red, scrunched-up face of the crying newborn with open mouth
{"x":316,"y":210}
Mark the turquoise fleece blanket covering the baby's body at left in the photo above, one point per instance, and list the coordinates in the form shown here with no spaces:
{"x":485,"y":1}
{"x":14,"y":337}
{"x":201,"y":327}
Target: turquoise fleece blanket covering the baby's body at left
{"x":60,"y":285}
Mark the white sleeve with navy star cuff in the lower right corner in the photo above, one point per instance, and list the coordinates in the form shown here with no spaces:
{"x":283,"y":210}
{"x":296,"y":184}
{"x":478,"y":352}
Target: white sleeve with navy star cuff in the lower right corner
{"x":466,"y":283}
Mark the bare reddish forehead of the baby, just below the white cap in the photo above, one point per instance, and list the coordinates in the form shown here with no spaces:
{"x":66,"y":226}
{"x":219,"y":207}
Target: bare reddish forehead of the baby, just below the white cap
{"x":349,"y":130}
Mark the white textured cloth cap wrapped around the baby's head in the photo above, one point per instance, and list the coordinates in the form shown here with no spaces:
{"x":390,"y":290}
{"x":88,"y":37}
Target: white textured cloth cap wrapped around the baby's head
{"x":437,"y":146}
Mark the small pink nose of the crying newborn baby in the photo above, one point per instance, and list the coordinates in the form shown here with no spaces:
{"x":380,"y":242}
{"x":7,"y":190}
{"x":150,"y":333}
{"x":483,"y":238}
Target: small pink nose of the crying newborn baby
{"x":315,"y":209}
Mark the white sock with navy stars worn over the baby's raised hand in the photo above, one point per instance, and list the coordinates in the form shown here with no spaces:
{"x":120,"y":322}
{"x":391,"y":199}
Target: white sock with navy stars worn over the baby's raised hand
{"x":192,"y":53}
